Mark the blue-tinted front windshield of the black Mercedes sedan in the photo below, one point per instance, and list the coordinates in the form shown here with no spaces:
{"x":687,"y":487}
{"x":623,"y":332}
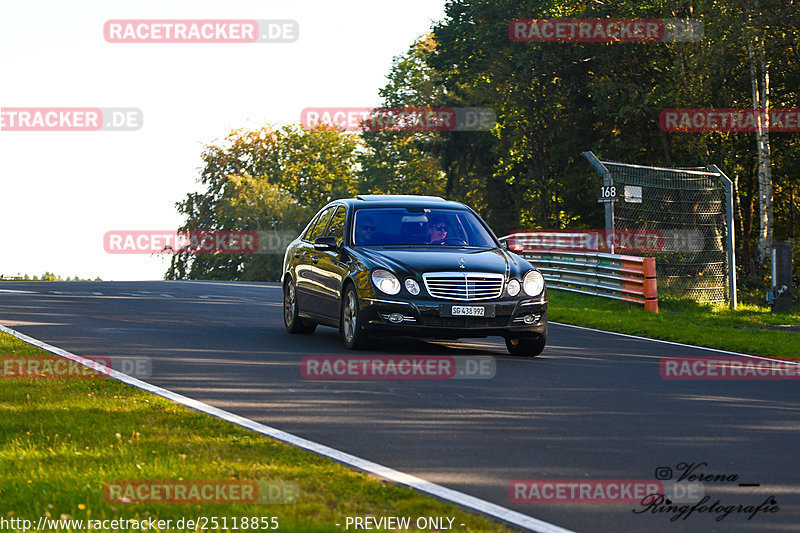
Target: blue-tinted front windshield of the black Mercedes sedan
{"x":422,"y":227}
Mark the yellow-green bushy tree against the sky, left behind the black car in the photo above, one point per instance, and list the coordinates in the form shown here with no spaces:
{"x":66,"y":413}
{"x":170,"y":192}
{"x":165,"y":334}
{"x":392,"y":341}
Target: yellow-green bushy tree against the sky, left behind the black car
{"x":265,"y":180}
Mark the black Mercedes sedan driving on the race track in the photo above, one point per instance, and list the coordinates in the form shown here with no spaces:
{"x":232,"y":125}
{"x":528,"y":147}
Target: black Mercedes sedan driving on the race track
{"x":419,"y":266}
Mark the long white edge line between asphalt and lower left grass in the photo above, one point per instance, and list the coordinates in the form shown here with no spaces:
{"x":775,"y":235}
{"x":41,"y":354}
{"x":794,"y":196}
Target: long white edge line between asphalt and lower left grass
{"x":460,"y":498}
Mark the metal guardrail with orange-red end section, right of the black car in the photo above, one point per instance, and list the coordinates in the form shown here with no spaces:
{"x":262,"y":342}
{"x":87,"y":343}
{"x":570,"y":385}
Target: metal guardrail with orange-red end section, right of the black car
{"x":621,"y":277}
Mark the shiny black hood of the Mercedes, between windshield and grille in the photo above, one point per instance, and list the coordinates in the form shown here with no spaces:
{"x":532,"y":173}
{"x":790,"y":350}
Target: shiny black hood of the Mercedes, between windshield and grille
{"x":418,"y":260}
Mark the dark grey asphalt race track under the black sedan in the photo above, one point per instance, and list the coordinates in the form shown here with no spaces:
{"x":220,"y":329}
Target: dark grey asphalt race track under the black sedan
{"x":592,"y":406}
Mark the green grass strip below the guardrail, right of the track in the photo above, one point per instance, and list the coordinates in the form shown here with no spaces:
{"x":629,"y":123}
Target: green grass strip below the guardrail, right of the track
{"x":750,"y":329}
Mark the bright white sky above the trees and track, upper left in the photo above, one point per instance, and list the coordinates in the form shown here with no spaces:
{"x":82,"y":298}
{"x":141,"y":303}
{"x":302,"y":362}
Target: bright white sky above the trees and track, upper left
{"x":61,"y":191}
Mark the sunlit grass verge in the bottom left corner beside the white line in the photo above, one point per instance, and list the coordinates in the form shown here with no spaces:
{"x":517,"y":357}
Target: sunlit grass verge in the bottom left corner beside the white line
{"x":62,"y":440}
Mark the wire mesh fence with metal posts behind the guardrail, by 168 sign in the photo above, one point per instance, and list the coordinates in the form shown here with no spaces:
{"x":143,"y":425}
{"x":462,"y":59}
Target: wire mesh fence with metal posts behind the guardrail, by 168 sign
{"x":688,"y":207}
